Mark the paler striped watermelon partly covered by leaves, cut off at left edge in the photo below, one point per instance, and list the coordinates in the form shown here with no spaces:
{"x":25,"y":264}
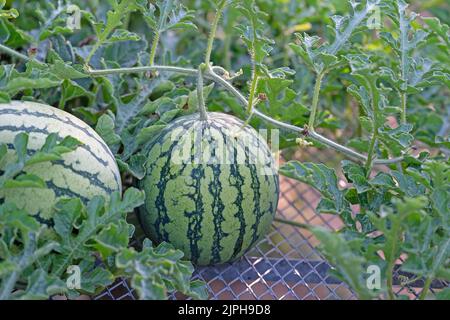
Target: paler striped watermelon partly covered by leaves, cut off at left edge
{"x":88,"y":171}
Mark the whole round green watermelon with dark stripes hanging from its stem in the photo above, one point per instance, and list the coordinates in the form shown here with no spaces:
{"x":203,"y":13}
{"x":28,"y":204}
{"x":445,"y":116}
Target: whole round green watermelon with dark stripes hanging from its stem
{"x":211,"y":198}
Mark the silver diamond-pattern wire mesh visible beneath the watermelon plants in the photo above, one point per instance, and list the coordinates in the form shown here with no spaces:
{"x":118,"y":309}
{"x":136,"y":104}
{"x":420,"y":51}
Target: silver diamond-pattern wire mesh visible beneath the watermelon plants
{"x":286,"y":264}
